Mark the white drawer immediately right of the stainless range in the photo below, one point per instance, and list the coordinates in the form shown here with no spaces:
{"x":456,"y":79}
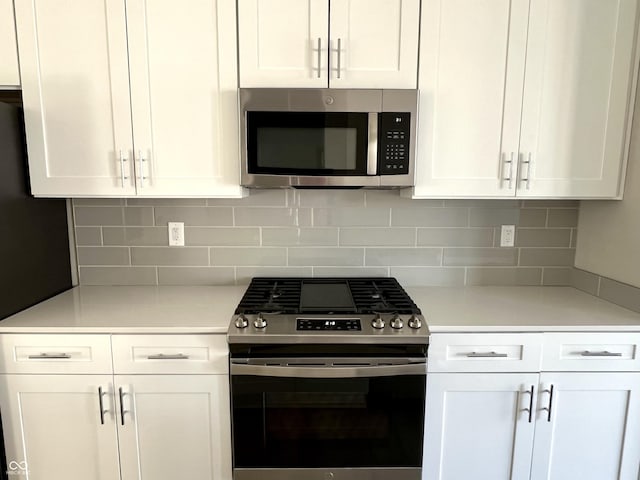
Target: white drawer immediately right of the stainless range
{"x":462,"y":352}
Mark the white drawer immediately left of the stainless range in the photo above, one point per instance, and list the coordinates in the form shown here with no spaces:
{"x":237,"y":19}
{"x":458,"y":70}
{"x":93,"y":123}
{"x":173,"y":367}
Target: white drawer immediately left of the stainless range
{"x":189,"y":354}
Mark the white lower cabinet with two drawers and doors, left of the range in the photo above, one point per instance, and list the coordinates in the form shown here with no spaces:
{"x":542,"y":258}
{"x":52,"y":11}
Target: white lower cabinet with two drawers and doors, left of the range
{"x":111,"y":426}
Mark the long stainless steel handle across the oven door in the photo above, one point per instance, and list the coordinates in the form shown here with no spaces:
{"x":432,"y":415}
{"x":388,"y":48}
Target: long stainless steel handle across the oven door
{"x":329,"y":371}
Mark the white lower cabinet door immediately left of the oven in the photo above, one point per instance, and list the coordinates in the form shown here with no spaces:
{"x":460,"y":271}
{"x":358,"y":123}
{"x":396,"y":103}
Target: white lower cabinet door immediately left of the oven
{"x":175,"y":427}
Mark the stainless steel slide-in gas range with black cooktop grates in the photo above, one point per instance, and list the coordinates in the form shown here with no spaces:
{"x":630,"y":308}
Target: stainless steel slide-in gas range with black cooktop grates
{"x":328,"y":380}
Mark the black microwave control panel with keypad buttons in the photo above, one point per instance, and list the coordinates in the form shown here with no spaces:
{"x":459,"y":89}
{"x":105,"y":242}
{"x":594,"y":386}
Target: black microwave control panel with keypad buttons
{"x":393,"y":147}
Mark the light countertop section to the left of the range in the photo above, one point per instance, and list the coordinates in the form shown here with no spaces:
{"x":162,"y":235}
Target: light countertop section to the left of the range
{"x":130,"y":310}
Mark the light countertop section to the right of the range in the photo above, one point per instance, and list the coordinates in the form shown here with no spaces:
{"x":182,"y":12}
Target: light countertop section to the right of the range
{"x":519,"y":309}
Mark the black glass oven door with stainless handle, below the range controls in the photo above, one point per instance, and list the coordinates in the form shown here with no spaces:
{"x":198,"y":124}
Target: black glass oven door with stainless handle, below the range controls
{"x":318,"y":419}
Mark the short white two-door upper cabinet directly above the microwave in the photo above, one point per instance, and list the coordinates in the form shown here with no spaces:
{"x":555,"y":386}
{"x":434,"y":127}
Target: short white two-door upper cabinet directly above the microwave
{"x":300,"y":44}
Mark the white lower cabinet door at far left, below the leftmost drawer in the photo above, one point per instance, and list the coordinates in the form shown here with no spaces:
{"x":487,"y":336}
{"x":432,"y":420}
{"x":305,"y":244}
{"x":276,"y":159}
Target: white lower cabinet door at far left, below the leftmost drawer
{"x":53,"y":430}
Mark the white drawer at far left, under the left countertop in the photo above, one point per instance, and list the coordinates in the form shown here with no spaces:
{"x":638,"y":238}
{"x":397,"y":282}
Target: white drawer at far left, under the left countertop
{"x":50,"y":354}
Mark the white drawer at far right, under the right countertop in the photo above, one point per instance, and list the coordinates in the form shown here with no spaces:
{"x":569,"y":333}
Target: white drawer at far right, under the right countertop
{"x":591,"y":352}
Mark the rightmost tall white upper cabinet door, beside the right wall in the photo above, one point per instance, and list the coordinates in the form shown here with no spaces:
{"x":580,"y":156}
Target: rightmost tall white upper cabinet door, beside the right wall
{"x":580,"y":61}
